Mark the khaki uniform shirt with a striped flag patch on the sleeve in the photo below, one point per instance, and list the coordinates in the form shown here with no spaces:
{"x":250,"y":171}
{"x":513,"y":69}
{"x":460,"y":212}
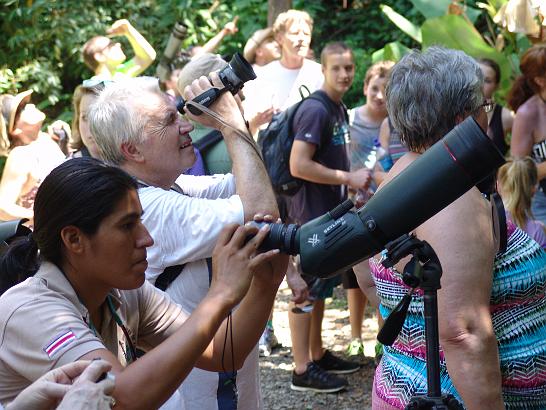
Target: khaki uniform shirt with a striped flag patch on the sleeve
{"x":43,"y":325}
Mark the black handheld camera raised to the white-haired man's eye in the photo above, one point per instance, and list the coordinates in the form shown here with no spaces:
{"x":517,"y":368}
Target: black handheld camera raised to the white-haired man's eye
{"x":233,"y":76}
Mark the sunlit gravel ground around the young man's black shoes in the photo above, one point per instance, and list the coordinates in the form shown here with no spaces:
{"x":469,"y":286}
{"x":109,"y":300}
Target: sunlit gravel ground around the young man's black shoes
{"x":276,"y":370}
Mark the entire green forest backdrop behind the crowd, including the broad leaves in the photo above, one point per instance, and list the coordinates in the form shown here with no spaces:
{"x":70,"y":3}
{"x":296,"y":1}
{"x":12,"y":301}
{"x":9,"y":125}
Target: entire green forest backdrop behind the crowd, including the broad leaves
{"x":42,"y":39}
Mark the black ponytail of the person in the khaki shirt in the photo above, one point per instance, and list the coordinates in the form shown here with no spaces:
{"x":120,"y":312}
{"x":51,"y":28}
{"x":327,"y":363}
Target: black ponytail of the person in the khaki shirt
{"x":19,"y":262}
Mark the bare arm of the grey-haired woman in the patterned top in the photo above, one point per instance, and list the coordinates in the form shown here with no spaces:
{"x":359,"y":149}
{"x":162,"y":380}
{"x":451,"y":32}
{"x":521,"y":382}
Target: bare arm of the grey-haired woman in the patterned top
{"x":461,"y":235}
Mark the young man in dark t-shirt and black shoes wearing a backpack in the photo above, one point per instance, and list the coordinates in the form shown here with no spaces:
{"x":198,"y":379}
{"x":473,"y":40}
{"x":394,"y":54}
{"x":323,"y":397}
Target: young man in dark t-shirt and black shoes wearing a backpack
{"x":319,"y":158}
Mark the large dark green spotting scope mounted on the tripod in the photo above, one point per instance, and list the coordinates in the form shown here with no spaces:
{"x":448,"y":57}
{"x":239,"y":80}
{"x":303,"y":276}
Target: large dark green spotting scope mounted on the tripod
{"x":342,"y":237}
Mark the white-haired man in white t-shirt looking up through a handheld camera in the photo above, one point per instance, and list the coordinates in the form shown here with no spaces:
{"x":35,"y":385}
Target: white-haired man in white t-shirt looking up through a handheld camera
{"x":184,"y":213}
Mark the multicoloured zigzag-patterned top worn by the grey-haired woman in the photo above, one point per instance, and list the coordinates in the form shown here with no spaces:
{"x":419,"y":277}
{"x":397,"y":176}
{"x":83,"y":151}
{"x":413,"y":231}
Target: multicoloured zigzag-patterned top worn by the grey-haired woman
{"x":518,"y":311}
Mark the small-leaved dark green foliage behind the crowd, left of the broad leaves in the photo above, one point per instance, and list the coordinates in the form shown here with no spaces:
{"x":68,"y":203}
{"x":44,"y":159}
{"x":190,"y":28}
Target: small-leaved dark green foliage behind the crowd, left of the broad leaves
{"x":42,"y":39}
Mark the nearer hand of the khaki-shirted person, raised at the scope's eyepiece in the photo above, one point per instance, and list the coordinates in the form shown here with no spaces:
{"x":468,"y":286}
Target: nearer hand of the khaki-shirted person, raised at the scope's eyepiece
{"x":235,"y":259}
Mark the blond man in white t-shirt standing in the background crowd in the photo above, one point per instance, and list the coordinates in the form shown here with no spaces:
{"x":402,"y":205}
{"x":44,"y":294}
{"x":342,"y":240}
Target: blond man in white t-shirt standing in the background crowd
{"x":279,"y":82}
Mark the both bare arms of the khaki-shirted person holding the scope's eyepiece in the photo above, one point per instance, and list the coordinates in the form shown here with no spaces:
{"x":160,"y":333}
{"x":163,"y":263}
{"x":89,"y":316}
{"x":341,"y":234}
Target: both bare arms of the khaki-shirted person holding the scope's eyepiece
{"x":160,"y":371}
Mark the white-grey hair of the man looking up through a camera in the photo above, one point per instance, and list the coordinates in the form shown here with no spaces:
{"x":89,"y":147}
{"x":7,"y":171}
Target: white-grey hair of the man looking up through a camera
{"x":119,"y":116}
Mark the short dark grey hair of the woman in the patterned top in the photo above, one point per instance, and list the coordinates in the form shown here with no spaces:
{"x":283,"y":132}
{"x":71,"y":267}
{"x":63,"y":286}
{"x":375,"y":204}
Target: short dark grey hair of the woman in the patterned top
{"x":428,"y":91}
